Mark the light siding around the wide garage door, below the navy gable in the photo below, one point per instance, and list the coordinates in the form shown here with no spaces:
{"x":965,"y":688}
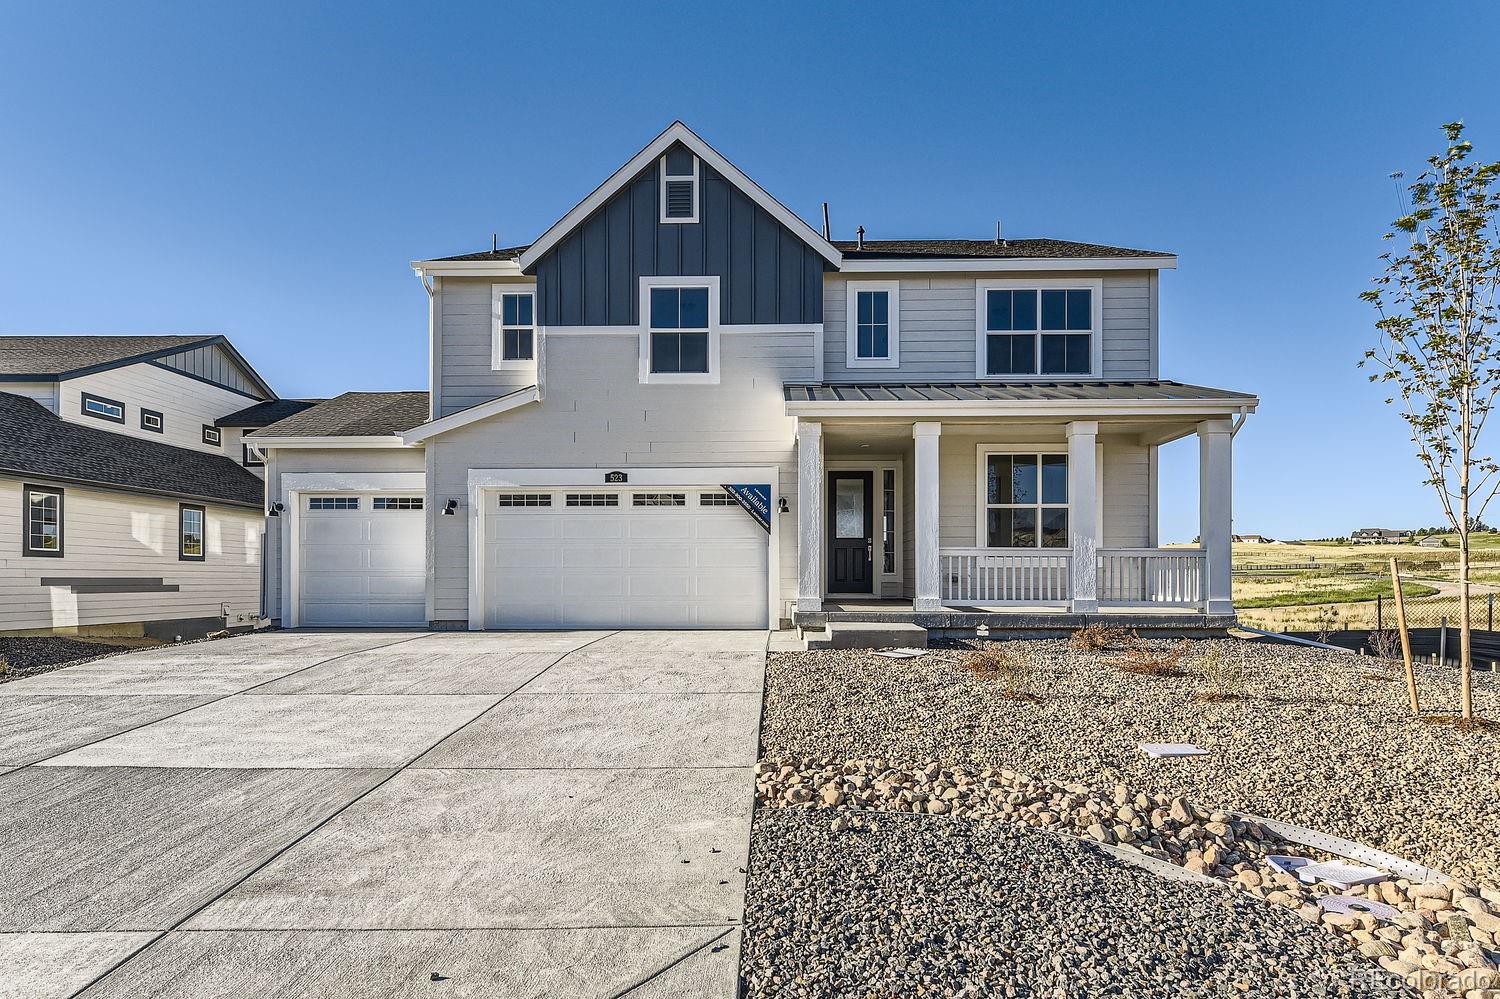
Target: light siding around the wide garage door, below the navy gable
{"x":598,"y":415}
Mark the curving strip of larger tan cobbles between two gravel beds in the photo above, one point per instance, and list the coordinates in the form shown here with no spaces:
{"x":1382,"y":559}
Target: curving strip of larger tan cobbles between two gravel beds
{"x":1421,"y":944}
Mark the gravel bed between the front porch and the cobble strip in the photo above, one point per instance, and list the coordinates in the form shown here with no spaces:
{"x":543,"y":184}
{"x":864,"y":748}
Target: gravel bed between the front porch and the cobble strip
{"x":1313,"y":739}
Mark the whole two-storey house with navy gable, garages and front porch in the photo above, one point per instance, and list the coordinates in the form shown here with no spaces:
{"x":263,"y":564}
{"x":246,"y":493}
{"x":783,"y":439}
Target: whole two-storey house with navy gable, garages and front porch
{"x":683,"y":407}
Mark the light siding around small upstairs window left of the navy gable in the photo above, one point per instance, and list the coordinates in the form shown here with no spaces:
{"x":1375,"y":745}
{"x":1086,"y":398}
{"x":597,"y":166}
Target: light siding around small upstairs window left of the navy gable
{"x":466,"y":346}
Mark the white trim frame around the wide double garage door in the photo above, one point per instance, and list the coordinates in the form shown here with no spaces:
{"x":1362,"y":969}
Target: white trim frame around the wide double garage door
{"x":487,"y":481}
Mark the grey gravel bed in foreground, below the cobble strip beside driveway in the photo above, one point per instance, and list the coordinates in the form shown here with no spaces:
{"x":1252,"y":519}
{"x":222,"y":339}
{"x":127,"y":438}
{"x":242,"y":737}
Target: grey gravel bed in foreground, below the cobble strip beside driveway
{"x":905,"y":905}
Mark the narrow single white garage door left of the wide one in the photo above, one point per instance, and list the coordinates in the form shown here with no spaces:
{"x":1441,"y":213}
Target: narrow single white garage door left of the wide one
{"x":362,"y":562}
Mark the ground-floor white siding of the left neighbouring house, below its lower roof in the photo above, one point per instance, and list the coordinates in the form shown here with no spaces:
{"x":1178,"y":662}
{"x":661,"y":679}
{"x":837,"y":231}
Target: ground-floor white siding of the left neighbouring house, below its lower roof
{"x":113,"y":535}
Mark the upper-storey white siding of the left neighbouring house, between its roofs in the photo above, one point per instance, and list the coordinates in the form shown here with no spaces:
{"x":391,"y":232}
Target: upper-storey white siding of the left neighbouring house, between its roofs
{"x":187,"y":404}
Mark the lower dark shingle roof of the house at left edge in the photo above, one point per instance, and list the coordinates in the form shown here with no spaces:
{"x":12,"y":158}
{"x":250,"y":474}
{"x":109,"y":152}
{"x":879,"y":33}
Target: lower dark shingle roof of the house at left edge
{"x":34,"y":442}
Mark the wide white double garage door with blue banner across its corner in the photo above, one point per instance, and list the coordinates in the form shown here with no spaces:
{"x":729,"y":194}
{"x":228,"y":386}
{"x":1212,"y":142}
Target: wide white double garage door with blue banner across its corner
{"x":640,"y":559}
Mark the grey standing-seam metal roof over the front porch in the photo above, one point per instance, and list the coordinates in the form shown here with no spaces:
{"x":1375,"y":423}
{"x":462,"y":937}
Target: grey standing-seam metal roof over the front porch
{"x":1007,"y":392}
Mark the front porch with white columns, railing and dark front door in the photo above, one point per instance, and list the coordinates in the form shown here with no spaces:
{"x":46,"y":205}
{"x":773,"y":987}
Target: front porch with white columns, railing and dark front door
{"x":1018,"y":517}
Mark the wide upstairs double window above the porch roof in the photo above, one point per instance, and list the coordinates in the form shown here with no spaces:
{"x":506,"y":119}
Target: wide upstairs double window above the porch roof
{"x":1040,"y":329}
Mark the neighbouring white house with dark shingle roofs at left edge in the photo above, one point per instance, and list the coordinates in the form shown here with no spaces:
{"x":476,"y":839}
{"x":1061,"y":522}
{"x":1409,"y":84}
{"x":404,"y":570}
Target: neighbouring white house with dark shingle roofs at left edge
{"x":122,"y":511}
